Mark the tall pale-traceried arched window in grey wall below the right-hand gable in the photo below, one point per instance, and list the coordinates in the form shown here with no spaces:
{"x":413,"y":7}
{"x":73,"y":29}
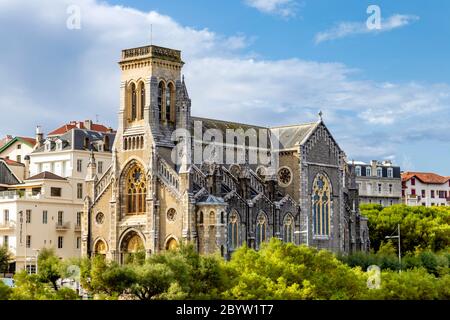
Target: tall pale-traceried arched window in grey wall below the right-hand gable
{"x":321,"y":205}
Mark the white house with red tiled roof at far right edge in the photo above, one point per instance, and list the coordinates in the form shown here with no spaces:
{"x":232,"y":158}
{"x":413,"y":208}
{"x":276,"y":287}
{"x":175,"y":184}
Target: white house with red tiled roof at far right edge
{"x":425,"y":189}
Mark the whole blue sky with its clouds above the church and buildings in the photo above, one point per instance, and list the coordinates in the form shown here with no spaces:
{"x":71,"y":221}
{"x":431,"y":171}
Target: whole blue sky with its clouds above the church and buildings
{"x":384,"y":94}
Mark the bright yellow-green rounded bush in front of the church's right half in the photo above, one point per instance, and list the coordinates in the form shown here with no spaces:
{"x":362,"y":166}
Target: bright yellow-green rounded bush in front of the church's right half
{"x":286,"y":271}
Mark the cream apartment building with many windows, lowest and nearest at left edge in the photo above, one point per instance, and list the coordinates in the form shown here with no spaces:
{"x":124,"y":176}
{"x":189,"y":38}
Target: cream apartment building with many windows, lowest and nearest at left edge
{"x":41,"y":212}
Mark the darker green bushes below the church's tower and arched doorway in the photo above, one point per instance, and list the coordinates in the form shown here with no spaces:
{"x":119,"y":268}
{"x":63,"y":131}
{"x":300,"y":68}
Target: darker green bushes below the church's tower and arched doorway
{"x":179,"y":274}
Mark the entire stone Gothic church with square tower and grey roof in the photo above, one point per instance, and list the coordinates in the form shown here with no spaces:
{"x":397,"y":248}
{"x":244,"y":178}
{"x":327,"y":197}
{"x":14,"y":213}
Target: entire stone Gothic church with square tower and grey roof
{"x":150,"y":200}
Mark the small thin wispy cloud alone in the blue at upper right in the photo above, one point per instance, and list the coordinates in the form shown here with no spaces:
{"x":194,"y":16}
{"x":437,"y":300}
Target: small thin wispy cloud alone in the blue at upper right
{"x":345,"y":29}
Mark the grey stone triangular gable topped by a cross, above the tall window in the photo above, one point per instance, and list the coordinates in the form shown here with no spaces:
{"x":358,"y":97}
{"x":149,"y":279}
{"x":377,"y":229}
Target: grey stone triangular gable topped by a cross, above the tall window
{"x":320,"y":147}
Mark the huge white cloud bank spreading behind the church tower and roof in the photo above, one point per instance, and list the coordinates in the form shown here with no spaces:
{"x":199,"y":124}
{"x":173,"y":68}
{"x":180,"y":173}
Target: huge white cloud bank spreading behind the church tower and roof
{"x":55,"y":75}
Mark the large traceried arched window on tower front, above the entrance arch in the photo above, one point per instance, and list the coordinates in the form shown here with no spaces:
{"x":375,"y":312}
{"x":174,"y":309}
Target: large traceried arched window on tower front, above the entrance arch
{"x":136,"y":191}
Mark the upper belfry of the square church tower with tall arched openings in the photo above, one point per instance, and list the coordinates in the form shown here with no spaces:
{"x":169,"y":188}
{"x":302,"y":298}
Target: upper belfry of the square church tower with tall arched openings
{"x":153,"y":94}
